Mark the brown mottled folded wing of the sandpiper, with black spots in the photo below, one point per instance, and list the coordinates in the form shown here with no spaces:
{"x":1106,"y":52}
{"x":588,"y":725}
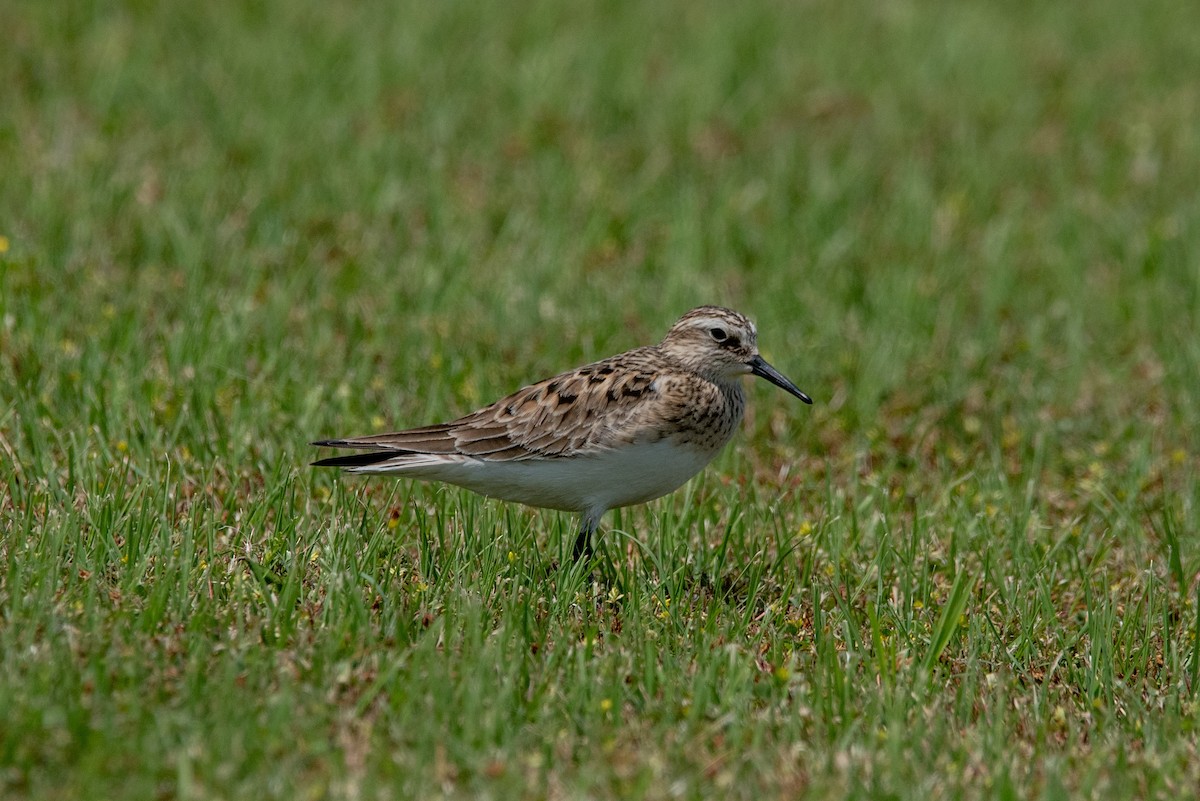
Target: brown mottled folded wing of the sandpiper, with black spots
{"x":592,"y":408}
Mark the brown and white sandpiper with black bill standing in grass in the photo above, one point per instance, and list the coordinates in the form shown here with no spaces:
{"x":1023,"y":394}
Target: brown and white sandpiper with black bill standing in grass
{"x":619,"y":432}
